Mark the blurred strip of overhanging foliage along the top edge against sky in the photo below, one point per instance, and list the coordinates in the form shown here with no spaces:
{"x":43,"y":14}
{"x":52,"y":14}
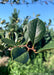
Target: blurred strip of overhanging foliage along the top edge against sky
{"x":26,"y":1}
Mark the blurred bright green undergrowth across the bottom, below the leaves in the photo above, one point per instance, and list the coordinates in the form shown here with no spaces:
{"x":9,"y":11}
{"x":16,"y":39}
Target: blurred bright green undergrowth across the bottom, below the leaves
{"x":33,"y":67}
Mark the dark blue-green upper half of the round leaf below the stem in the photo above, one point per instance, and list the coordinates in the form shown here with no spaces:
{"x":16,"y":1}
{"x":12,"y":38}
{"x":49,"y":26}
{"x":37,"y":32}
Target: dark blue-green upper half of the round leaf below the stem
{"x":17,"y":52}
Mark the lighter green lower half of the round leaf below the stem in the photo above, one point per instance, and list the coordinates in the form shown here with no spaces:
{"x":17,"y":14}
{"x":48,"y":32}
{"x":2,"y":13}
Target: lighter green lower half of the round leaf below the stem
{"x":23,"y":58}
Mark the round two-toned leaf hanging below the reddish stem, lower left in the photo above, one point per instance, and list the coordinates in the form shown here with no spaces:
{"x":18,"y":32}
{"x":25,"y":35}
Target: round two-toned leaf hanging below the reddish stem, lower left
{"x":20,"y":55}
